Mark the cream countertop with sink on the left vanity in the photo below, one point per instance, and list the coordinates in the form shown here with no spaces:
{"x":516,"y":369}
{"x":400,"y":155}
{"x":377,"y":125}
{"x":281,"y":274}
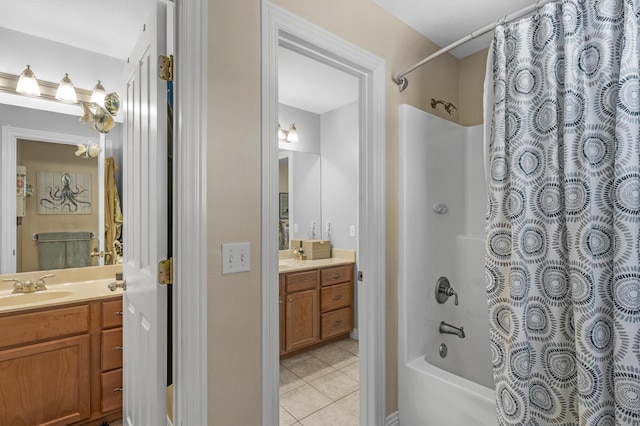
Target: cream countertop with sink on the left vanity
{"x":66,"y":287}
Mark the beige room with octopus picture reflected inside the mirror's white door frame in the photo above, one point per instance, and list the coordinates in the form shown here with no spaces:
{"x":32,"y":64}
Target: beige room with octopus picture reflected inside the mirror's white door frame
{"x":58,"y":225}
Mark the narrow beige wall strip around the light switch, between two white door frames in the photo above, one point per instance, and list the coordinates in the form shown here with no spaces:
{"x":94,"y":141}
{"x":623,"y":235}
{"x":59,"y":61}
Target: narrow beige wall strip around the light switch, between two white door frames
{"x":233,"y":211}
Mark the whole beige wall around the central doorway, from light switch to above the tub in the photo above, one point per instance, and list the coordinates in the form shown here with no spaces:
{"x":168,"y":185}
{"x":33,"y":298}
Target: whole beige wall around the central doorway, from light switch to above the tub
{"x":233,"y":209}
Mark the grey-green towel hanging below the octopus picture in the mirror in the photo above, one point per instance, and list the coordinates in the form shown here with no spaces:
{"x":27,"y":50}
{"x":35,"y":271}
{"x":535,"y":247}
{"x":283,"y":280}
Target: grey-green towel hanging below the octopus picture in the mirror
{"x":60,"y":250}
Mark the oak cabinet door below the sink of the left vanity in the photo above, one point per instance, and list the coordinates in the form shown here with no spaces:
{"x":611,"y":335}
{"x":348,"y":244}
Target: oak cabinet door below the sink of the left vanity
{"x":46,"y":383}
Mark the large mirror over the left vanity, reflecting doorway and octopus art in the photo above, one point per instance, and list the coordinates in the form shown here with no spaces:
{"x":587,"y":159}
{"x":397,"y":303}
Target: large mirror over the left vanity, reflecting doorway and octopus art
{"x":73,"y":205}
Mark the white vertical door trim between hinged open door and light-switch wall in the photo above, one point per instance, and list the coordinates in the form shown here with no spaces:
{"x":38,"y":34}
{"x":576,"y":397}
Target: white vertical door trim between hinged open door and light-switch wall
{"x":190,"y":225}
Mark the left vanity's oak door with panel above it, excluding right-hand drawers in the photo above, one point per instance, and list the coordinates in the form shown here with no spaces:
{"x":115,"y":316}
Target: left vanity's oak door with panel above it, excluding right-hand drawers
{"x":44,"y":367}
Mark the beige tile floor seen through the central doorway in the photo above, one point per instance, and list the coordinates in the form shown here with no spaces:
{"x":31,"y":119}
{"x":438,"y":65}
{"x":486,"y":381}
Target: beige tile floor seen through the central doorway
{"x":321,"y":387}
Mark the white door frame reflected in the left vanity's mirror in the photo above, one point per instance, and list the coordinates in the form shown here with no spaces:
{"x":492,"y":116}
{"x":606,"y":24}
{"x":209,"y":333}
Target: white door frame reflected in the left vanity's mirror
{"x":10,"y":136}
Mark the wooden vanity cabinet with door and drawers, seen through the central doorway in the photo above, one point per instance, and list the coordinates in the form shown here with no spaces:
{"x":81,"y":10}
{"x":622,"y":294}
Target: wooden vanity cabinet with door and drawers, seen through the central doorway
{"x":318,"y":307}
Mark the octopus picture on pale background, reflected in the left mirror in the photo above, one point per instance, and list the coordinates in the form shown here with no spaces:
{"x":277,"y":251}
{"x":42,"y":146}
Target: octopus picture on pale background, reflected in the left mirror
{"x":64,"y":193}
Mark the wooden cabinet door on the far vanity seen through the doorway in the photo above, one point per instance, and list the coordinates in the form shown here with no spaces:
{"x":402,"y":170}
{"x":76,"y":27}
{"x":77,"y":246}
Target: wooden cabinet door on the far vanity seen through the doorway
{"x":302,"y":319}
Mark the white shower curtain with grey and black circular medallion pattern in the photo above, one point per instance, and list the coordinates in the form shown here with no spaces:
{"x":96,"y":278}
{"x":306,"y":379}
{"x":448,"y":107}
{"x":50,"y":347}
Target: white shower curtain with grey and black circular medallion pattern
{"x":563,"y":216}
